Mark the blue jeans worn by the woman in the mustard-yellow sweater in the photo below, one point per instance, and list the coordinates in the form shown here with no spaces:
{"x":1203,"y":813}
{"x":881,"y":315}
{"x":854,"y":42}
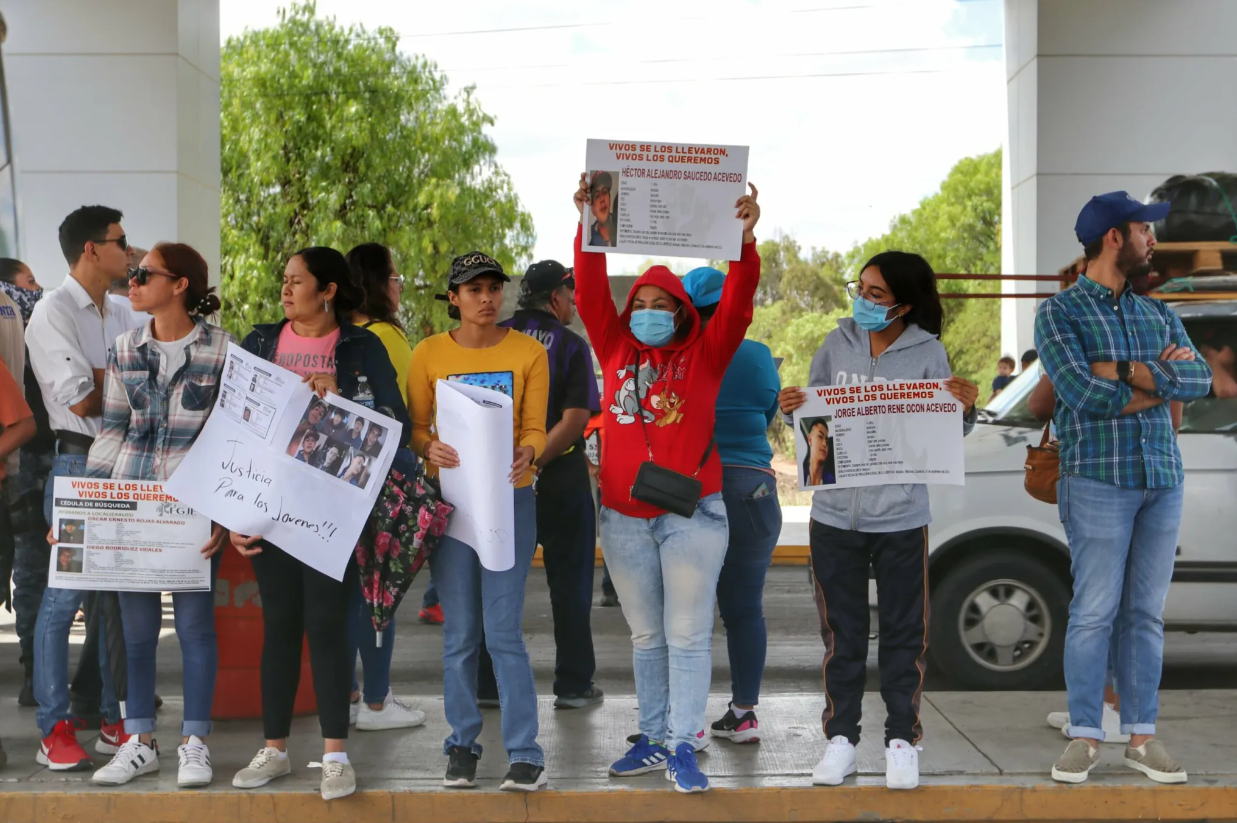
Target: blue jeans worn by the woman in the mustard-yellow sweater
{"x":477,"y":601}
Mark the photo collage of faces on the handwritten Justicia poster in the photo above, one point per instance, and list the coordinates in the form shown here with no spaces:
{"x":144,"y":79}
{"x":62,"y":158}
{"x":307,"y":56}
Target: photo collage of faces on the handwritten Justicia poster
{"x":337,"y":442}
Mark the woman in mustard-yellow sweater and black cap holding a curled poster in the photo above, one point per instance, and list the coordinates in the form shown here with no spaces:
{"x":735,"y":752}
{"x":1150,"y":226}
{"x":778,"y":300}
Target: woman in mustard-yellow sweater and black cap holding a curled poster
{"x":474,"y":600}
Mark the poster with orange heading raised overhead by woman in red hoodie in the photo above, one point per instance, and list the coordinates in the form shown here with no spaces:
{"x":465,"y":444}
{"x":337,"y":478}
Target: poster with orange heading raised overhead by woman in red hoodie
{"x":665,"y":199}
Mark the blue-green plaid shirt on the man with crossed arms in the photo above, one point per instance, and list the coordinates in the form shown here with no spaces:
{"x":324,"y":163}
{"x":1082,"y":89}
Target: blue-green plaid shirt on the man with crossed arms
{"x":1087,"y":325}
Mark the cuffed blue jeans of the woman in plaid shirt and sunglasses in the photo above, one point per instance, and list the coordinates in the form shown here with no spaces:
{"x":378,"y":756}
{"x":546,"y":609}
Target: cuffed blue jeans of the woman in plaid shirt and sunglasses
{"x":195,"y":614}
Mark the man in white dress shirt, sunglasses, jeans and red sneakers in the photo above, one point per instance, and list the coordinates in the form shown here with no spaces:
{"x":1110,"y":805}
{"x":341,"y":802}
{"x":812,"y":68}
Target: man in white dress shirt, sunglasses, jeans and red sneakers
{"x":70,"y":336}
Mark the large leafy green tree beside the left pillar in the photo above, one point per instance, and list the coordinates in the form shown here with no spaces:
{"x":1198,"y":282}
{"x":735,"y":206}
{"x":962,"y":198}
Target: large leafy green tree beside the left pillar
{"x":332,"y":137}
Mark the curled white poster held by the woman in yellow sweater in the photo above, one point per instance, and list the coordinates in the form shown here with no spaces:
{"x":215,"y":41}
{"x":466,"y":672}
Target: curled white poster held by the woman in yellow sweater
{"x":478,"y":424}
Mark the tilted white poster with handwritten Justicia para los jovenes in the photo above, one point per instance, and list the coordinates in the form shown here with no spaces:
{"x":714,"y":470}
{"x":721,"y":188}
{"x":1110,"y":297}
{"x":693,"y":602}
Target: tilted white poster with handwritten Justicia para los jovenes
{"x":275,"y":460}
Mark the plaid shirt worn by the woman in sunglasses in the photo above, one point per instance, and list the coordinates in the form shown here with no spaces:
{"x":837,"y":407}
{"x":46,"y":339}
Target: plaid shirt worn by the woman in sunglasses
{"x":148,"y":429}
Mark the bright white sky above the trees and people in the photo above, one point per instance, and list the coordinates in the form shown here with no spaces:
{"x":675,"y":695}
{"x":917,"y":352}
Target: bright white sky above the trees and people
{"x":854,"y":110}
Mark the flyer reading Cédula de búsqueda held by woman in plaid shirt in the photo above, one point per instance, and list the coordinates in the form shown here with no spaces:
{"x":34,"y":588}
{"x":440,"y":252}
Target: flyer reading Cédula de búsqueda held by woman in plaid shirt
{"x":126,"y":536}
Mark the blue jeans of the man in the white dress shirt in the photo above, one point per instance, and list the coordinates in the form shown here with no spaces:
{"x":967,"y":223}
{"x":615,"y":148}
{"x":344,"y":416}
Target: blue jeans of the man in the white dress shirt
{"x":53,"y":627}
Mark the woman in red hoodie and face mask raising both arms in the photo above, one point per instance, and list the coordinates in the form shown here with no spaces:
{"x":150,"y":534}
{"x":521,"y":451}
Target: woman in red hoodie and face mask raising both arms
{"x":662,"y":373}
